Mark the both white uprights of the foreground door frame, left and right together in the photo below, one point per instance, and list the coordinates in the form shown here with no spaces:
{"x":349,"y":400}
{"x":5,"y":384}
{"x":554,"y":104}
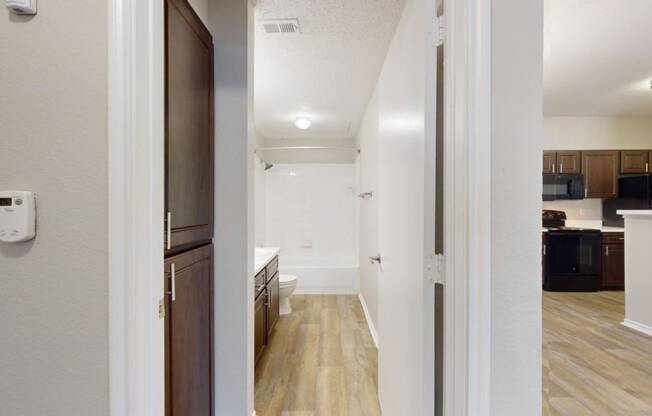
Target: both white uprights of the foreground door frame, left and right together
{"x":136,"y":191}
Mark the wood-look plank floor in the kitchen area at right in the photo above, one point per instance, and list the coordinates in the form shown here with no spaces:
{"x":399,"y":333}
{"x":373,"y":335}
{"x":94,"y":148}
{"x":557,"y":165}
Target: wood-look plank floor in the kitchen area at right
{"x":592,"y":365}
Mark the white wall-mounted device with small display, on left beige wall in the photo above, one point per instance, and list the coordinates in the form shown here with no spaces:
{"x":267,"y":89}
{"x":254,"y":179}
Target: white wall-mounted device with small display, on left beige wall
{"x":17,"y":216}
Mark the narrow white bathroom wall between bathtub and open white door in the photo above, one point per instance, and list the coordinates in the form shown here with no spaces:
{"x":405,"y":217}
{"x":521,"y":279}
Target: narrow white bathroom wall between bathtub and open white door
{"x":367,"y":140}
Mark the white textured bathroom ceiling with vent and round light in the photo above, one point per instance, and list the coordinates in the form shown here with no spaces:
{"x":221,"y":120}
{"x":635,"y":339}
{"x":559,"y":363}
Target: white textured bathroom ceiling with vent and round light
{"x":328,"y":72}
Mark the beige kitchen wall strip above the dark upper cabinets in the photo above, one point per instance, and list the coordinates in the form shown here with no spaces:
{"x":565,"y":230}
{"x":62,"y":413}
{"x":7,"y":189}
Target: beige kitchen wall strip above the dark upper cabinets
{"x":597,"y":132}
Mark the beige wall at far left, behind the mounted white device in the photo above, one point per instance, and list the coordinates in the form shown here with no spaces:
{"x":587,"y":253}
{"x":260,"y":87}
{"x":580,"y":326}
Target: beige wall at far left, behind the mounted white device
{"x":53,"y":140}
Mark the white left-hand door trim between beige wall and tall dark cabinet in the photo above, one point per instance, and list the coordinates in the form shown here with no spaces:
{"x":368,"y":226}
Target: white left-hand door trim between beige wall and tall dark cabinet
{"x":136,"y":149}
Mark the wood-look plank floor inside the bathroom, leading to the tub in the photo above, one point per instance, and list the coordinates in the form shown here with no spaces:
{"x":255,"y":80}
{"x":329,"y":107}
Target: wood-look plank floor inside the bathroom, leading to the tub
{"x":321,"y":361}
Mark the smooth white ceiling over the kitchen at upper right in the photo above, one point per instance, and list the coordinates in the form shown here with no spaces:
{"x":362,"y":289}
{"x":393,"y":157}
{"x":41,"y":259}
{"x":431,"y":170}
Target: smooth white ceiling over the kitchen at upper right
{"x":597,"y":59}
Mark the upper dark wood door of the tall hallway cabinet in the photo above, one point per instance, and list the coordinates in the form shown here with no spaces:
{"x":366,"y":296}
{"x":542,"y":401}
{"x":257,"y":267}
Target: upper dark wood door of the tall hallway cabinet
{"x":189,"y":126}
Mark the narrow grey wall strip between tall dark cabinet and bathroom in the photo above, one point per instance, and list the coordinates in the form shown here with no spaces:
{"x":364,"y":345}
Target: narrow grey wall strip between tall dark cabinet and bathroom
{"x":231,"y":22}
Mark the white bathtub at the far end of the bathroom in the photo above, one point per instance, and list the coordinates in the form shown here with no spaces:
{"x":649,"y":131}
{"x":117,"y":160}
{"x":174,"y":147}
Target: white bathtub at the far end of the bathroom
{"x":323,"y":276}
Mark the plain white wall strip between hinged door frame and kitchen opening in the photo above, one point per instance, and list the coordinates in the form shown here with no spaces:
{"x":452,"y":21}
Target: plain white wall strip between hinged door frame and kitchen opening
{"x":517,"y":129}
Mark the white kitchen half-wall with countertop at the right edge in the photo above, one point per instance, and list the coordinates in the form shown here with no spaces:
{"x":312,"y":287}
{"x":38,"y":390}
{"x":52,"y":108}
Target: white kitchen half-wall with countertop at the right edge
{"x":638,"y":270}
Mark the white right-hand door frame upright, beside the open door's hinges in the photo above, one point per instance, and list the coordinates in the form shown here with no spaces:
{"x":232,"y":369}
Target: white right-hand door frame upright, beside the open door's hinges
{"x":467,"y":208}
